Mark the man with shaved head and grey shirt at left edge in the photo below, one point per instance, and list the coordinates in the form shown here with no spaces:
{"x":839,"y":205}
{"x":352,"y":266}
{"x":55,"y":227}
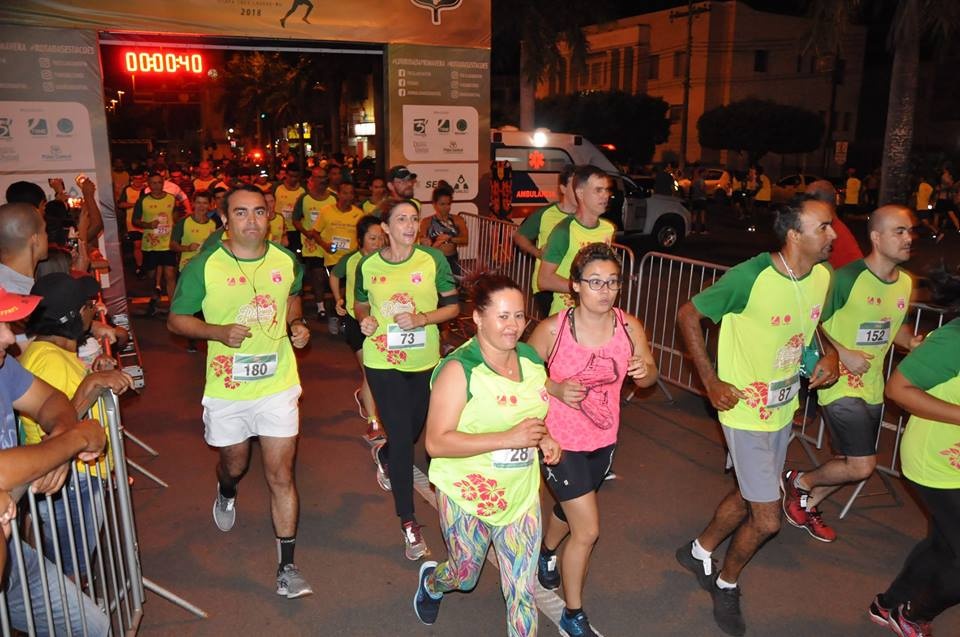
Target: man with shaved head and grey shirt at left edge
{"x":23,"y":244}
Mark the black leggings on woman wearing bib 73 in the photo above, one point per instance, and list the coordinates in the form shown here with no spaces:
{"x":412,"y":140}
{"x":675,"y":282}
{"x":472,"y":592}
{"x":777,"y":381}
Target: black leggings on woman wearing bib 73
{"x":402,"y":399}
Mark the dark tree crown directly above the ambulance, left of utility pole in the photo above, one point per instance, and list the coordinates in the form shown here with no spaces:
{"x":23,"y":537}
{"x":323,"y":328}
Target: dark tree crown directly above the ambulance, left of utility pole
{"x":635,"y":124}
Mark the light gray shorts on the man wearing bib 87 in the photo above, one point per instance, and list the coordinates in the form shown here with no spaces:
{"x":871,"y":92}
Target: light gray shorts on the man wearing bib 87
{"x":758,"y":458}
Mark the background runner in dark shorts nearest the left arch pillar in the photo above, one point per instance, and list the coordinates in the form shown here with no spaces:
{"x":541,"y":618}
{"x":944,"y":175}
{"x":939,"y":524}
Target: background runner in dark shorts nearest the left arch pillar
{"x":154,"y":214}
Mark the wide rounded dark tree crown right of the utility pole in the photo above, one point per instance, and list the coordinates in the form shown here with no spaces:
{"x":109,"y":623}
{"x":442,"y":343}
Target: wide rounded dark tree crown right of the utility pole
{"x":758,"y":127}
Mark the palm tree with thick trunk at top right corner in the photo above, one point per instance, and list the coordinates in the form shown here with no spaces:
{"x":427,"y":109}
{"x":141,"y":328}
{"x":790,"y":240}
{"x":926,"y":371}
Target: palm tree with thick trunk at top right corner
{"x":913,"y":21}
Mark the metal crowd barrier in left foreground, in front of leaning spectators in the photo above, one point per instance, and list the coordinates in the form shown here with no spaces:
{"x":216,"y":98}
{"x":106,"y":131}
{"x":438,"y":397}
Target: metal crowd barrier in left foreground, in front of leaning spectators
{"x":96,"y":543}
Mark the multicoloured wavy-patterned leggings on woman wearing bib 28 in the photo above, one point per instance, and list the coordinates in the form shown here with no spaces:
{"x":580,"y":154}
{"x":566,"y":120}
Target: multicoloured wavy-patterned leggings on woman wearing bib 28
{"x":517,"y":545}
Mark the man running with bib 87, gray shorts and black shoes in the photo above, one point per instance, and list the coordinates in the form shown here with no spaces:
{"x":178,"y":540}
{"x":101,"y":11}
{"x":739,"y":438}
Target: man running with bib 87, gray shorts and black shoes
{"x":770,"y":306}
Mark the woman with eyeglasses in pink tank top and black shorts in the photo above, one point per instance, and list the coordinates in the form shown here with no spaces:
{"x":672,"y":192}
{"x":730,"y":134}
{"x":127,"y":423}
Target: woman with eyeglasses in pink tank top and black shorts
{"x":590,"y":349}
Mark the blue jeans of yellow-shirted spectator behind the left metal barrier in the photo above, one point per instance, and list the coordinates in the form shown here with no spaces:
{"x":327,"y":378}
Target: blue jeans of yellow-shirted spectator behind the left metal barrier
{"x":78,"y":499}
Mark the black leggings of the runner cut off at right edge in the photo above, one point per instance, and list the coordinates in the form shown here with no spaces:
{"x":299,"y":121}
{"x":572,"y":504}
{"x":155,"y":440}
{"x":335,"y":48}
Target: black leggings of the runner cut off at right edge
{"x":930,"y":577}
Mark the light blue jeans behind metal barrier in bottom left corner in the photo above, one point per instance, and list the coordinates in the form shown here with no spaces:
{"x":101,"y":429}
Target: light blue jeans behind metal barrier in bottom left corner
{"x":96,"y":621}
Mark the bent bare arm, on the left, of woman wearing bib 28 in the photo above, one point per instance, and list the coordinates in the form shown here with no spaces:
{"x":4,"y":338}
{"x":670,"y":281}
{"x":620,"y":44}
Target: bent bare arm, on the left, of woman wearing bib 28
{"x":447,"y":401}
